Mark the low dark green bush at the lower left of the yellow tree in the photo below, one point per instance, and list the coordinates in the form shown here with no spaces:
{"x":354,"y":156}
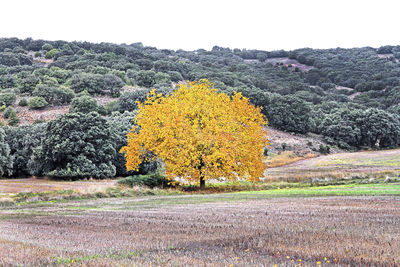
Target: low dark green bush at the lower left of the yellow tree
{"x":151,"y":180}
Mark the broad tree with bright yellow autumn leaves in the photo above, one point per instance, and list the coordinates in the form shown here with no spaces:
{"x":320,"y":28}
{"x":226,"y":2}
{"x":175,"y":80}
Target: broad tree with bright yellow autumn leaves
{"x":199,"y":134}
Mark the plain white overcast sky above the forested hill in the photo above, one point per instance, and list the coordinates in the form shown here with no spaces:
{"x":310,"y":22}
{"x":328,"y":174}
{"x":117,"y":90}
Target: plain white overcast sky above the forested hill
{"x":190,"y":25}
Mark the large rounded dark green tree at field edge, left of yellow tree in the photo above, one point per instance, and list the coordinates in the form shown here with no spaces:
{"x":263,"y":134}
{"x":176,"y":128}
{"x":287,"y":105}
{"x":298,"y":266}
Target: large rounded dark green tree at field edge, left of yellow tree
{"x":79,"y":146}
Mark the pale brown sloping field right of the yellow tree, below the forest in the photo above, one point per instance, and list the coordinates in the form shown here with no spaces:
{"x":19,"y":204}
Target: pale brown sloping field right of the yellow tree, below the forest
{"x":340,"y":165}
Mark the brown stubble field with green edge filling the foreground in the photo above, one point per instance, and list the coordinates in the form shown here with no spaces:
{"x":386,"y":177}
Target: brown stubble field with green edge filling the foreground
{"x":240,"y":229}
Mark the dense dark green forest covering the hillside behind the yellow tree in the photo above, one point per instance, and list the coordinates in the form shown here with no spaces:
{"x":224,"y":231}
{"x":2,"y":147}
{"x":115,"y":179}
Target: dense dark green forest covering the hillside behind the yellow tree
{"x":349,"y":96}
